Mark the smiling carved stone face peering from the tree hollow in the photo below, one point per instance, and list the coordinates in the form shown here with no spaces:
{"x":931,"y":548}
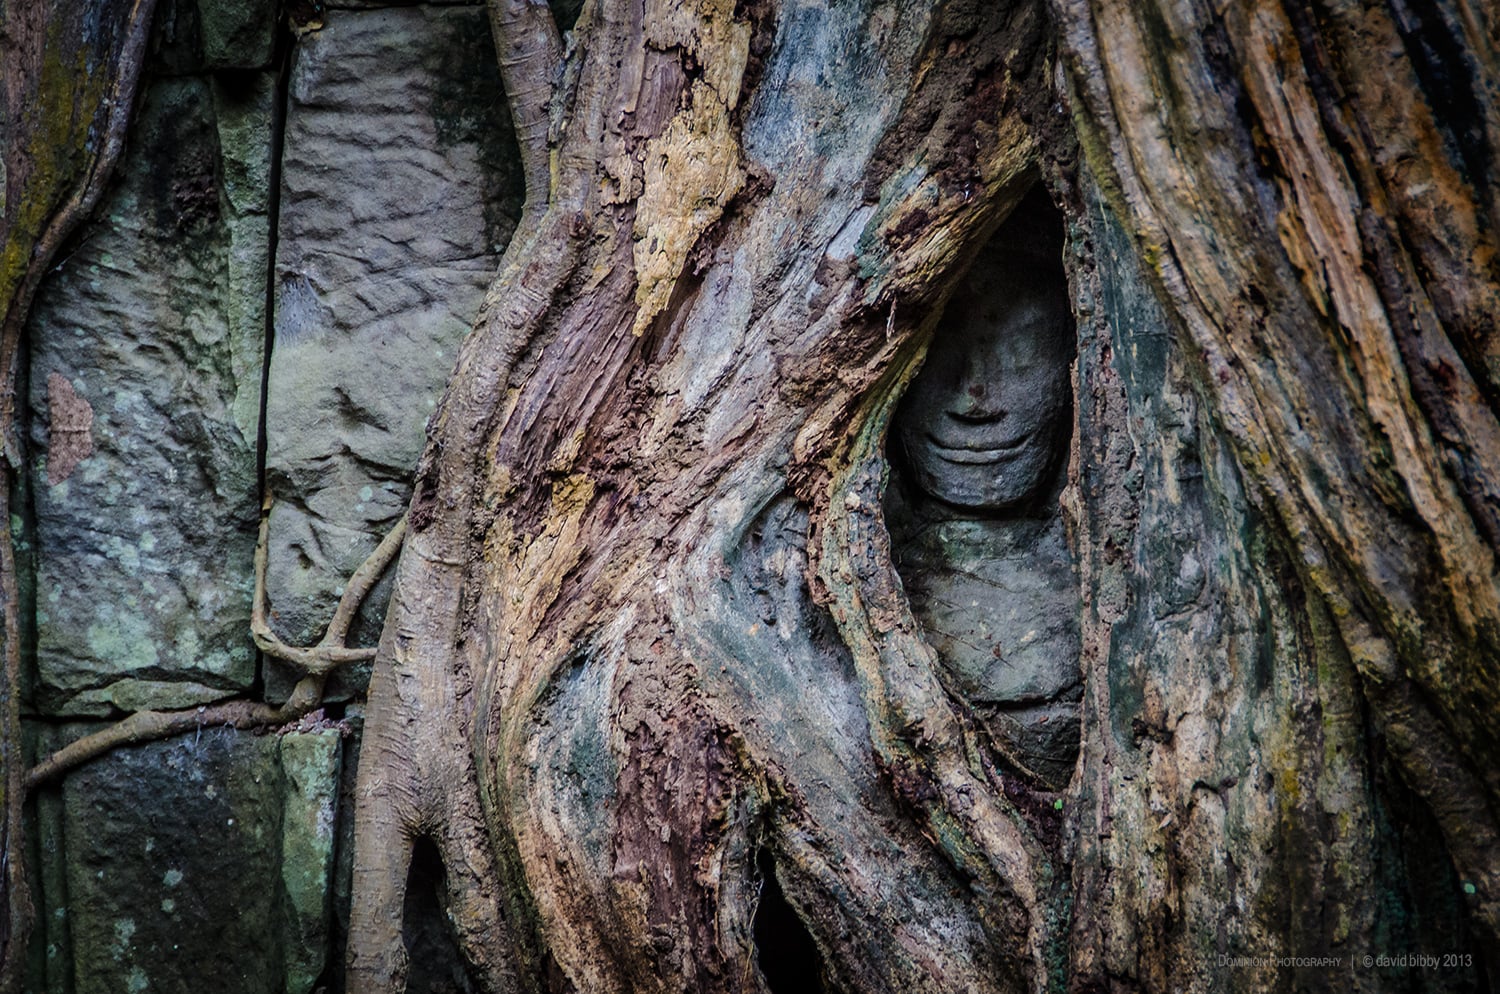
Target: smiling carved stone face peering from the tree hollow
{"x":986,"y":421}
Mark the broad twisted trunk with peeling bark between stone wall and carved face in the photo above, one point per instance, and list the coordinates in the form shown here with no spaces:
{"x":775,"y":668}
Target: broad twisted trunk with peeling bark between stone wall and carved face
{"x":602,"y":448}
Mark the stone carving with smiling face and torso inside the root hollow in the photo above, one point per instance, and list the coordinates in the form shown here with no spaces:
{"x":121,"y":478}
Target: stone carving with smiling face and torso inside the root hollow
{"x":979,"y":446}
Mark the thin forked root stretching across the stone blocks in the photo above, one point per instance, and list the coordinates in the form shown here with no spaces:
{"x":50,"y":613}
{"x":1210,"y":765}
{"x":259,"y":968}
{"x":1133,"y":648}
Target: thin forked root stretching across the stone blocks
{"x":314,"y":662}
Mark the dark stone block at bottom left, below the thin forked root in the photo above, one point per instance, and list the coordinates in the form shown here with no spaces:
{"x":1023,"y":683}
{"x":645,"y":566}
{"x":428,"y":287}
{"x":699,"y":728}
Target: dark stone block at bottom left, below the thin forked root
{"x":202,"y":858}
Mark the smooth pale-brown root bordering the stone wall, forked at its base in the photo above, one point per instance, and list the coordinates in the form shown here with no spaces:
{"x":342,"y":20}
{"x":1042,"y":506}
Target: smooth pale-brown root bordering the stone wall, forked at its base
{"x":418,"y":779}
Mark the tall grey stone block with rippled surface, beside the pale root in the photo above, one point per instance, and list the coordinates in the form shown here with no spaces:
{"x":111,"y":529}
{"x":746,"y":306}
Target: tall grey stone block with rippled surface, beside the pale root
{"x":400,"y":190}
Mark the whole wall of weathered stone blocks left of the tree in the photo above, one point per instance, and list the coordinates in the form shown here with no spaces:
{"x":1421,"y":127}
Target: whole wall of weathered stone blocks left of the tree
{"x":271,"y":296}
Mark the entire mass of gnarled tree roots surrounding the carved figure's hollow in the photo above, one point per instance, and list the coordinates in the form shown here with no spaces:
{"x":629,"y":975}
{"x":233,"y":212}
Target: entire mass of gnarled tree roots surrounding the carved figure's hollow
{"x":650,"y":665}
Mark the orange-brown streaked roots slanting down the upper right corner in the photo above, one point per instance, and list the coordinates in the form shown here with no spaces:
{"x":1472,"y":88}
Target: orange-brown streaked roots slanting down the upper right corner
{"x":1313,"y":196}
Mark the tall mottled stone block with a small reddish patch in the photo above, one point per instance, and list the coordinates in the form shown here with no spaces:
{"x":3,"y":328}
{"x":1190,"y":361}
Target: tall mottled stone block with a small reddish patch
{"x":148,"y":358}
